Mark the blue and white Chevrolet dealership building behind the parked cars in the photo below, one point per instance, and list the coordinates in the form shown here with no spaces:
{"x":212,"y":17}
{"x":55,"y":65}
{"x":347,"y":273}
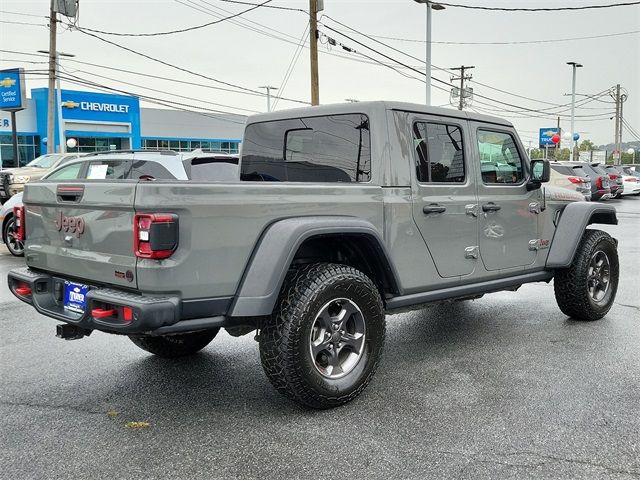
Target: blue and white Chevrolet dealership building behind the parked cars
{"x":99,"y":121}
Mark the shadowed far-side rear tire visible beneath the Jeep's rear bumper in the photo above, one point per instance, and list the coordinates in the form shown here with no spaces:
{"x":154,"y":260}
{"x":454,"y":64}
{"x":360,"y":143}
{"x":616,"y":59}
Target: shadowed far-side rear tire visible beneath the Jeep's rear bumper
{"x":174,"y":346}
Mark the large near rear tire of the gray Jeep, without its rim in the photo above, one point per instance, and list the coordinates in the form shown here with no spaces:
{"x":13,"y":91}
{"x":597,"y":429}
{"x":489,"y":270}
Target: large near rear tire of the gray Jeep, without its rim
{"x":285,"y":336}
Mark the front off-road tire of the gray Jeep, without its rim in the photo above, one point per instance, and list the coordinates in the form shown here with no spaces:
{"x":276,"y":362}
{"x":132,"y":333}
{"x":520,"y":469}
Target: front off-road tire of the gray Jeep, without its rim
{"x":571,"y":284}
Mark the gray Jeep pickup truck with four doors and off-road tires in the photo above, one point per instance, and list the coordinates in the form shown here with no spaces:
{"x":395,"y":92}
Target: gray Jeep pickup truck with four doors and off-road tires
{"x":340,"y":215}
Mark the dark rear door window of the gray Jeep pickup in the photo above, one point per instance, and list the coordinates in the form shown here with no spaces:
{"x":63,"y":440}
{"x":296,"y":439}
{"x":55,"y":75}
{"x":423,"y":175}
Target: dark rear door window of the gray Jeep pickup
{"x":439,"y":152}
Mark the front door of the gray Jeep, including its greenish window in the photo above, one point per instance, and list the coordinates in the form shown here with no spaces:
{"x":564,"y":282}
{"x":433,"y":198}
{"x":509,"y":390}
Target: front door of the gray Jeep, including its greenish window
{"x":508,"y":212}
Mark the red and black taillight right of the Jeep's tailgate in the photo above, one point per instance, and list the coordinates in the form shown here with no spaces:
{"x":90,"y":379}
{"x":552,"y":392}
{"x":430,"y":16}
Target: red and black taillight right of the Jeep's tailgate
{"x":155,"y":235}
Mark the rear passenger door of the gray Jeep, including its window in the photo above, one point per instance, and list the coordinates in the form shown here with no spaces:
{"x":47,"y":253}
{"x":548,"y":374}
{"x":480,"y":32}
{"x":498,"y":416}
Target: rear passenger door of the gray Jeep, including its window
{"x":443,"y":190}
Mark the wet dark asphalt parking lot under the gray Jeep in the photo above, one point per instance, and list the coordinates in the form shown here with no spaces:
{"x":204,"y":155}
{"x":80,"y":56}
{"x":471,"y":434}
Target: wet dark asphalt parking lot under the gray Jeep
{"x":501,"y":387}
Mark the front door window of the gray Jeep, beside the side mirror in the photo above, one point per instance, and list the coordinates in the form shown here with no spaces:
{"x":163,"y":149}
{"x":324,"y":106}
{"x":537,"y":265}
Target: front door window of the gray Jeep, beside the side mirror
{"x":500,"y":161}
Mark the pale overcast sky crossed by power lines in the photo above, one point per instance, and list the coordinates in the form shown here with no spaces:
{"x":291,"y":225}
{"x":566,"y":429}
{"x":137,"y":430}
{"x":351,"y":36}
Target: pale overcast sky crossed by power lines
{"x":255,"y":54}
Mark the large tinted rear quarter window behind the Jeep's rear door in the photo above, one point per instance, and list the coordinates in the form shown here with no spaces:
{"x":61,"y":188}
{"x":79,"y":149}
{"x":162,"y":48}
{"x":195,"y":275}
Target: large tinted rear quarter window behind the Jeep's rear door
{"x":318,"y":149}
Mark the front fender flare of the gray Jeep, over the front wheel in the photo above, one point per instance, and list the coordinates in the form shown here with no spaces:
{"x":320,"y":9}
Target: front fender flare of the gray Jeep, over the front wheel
{"x":571,"y":226}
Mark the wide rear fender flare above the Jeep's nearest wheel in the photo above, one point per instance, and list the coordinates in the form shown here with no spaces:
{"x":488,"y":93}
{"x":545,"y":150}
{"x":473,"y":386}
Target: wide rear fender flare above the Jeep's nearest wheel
{"x":264,"y":275}
